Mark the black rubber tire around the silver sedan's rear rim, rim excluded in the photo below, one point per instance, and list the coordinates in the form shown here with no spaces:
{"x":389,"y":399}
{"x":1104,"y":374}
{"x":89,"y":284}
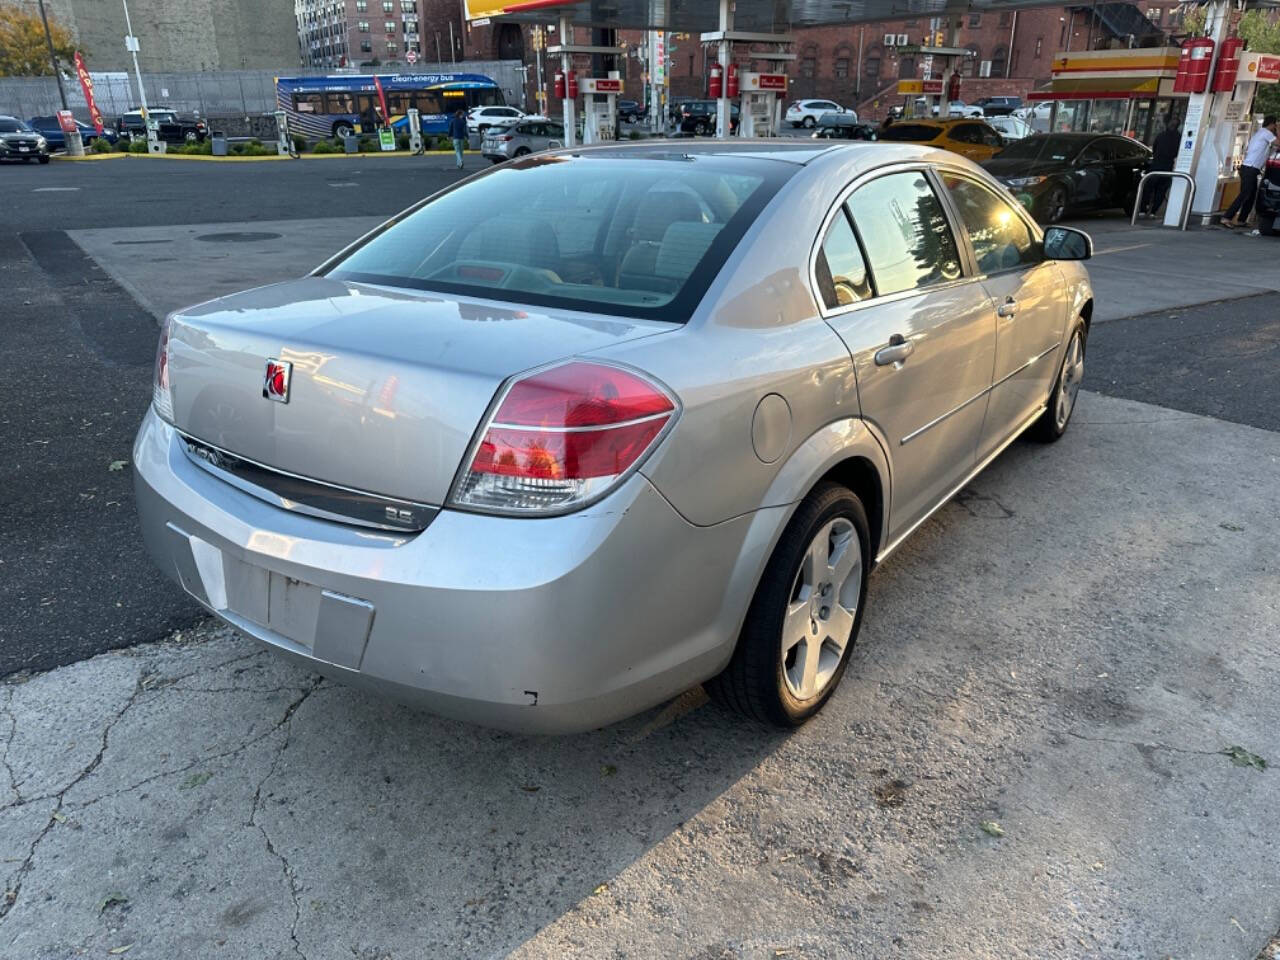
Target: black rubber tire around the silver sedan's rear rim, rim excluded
{"x":755,"y":684}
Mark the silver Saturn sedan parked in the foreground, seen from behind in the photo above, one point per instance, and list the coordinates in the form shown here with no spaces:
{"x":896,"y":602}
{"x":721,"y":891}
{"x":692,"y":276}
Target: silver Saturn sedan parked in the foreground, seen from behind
{"x":587,"y":431}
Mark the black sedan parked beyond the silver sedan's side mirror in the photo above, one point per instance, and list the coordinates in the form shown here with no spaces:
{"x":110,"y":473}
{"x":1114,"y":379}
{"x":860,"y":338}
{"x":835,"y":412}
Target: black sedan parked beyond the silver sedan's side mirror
{"x":1054,"y":175}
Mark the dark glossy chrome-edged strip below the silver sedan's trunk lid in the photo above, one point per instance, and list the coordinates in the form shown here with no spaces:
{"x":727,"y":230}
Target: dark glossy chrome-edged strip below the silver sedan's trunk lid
{"x":303,"y":495}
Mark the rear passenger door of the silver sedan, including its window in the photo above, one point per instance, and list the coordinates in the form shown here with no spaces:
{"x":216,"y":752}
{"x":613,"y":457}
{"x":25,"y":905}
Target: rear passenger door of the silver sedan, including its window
{"x":922,"y":333}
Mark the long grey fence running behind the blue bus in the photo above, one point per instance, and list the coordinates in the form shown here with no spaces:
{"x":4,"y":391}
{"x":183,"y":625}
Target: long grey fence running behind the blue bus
{"x":217,"y":94}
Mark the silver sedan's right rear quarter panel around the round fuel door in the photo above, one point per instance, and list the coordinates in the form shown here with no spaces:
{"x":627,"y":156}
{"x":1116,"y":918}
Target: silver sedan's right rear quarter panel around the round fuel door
{"x":758,"y":332}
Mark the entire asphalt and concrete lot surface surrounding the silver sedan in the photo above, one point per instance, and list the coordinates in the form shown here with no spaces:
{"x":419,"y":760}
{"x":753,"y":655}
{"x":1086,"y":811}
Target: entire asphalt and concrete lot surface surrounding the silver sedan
{"x":1027,"y":758}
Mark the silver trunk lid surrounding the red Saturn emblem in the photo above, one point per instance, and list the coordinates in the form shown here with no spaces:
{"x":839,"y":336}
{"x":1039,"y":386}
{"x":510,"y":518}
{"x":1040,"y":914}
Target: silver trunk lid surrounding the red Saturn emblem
{"x":387,"y":387}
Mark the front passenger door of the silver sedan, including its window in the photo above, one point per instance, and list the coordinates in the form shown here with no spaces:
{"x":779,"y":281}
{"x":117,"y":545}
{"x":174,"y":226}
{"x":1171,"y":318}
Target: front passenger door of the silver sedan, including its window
{"x":1027,"y":301}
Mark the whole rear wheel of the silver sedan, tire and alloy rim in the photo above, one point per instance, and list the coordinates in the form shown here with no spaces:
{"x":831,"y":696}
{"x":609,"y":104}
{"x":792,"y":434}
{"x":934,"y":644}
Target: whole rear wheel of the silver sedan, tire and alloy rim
{"x":806,"y":615}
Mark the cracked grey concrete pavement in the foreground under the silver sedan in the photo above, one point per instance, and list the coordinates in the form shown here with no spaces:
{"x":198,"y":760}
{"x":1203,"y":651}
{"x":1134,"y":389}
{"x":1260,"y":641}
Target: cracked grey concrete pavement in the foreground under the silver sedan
{"x":1066,"y":652}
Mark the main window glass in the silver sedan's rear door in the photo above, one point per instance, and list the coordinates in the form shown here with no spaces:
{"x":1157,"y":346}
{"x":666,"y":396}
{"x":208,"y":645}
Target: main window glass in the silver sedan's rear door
{"x":909,"y":243}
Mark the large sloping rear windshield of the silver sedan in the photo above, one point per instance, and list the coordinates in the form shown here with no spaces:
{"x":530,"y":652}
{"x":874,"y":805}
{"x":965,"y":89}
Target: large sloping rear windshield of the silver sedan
{"x":628,"y":236}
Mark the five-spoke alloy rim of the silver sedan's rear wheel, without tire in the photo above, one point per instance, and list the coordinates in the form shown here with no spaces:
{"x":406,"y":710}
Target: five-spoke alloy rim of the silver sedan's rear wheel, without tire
{"x":822,"y":607}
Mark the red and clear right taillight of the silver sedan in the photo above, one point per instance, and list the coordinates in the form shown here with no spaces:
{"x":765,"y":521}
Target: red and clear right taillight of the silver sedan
{"x":564,"y":438}
